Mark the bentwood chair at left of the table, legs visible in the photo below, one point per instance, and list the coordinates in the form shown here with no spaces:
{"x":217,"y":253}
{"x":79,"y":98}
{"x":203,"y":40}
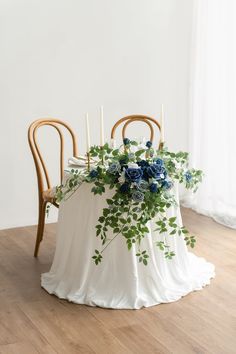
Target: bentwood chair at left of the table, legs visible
{"x":44,"y":185}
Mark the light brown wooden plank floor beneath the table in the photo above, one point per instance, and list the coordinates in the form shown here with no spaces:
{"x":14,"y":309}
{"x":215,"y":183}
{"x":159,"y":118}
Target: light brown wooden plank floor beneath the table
{"x":32,"y":321}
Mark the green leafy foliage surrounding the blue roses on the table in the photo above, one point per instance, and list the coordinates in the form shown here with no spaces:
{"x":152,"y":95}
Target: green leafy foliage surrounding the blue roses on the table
{"x":124,"y":216}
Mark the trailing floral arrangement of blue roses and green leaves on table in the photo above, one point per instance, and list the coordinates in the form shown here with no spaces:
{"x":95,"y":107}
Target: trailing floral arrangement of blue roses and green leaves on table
{"x":142,"y":179}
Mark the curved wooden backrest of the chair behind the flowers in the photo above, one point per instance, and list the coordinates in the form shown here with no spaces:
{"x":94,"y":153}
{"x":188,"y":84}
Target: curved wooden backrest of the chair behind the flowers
{"x":137,"y":117}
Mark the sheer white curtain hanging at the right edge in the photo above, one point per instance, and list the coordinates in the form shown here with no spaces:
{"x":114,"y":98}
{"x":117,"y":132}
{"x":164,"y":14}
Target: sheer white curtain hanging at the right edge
{"x":213,"y":109}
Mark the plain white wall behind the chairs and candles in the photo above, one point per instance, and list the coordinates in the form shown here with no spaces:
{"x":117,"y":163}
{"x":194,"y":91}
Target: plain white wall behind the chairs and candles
{"x":63,"y":58}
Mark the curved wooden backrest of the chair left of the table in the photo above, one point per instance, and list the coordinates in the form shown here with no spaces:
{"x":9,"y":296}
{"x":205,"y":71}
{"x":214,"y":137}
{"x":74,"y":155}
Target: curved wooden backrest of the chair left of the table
{"x":38,"y":159}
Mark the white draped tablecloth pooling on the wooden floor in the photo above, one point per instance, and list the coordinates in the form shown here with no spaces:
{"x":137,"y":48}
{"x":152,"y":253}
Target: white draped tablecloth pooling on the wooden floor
{"x":119,"y":281}
